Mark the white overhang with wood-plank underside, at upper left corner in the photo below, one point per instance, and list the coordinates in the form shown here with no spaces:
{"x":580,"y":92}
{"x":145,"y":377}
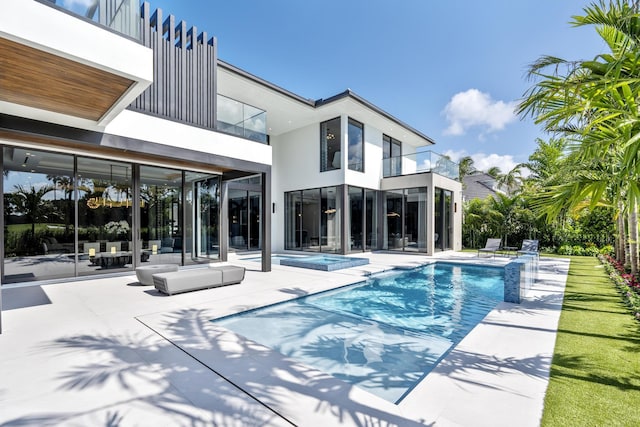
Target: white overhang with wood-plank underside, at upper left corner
{"x":59,"y":68}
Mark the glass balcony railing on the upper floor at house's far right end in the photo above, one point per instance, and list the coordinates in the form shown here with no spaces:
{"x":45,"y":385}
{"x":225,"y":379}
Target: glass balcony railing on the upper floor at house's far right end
{"x":422,"y":162}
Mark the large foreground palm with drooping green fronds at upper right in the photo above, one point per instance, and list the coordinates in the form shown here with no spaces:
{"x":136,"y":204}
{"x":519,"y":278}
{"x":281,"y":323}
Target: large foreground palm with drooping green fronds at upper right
{"x":594,"y":104}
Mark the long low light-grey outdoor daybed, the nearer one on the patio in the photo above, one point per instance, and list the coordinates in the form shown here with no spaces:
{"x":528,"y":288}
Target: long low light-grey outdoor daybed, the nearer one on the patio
{"x":194,"y":279}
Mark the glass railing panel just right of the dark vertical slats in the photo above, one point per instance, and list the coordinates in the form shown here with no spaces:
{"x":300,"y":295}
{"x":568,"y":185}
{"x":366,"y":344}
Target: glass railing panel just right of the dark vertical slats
{"x":241,"y":119}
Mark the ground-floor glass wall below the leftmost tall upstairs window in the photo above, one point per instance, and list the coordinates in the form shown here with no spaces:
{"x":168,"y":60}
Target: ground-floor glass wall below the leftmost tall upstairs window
{"x":312,"y":220}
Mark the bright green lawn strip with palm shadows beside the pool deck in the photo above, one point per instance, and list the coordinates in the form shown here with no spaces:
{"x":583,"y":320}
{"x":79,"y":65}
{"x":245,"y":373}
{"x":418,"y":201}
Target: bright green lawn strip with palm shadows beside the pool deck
{"x":595,"y":373}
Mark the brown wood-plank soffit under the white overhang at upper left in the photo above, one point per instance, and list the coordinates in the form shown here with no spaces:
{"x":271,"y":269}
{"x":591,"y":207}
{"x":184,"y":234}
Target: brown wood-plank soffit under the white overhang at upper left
{"x":38,"y":79}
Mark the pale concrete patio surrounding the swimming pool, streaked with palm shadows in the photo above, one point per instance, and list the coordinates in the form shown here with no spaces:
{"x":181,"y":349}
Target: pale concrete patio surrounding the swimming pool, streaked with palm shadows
{"x":111,"y":352}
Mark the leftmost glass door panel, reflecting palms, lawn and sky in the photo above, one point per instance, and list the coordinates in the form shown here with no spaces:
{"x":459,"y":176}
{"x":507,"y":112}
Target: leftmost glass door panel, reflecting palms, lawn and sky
{"x":39,"y":215}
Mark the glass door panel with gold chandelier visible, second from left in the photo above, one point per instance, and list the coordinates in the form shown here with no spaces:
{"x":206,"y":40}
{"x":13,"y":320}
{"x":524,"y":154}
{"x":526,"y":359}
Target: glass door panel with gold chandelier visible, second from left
{"x":104,"y":216}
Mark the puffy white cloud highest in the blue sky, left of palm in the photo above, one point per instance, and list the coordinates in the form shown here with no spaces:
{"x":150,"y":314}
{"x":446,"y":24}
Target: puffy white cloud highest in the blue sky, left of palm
{"x":473,"y":108}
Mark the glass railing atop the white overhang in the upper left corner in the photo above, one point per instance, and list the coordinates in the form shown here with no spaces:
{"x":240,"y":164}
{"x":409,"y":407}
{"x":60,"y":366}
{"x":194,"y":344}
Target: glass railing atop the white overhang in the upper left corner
{"x":122,"y":16}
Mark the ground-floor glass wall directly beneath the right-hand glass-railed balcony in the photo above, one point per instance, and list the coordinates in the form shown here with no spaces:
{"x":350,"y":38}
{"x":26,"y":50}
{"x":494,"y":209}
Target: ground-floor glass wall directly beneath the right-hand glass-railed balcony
{"x":406,"y":225}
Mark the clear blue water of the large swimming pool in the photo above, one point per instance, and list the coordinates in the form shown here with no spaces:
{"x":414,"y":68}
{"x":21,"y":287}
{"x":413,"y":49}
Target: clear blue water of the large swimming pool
{"x":383,"y":335}
